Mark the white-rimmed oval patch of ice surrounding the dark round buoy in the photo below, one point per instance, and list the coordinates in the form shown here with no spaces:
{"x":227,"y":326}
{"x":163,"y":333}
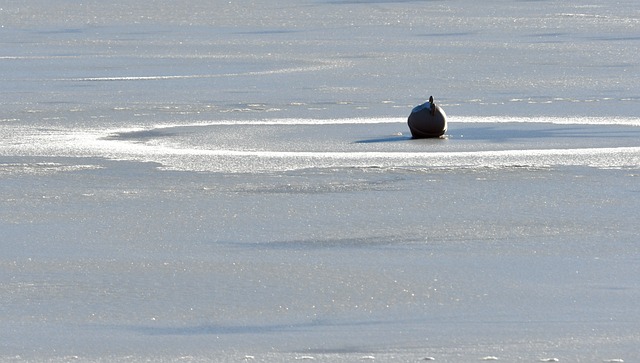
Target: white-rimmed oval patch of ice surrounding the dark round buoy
{"x":290,"y":144}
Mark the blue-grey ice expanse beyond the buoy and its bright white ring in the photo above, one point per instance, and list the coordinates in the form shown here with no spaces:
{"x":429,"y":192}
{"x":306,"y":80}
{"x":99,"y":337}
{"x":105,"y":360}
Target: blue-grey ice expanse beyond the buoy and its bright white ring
{"x":319,"y":59}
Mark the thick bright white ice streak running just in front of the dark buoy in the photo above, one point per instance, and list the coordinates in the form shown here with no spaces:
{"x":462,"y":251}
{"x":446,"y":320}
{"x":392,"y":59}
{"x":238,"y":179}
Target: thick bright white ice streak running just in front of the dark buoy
{"x":176,"y":157}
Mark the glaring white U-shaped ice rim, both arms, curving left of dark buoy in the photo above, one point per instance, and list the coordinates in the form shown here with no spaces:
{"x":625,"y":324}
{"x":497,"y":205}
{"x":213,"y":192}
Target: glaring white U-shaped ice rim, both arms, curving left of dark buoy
{"x":172,"y":154}
